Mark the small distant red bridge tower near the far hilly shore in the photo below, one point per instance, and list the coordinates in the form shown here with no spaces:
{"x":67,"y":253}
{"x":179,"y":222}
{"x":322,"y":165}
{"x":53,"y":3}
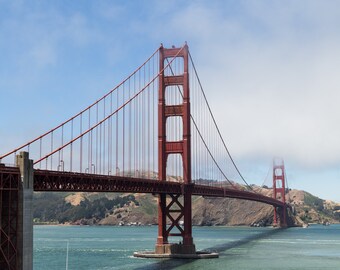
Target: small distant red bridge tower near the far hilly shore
{"x":279,"y":192}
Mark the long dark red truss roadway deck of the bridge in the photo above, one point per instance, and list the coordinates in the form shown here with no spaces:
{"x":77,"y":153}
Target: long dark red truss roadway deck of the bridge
{"x":46,"y":180}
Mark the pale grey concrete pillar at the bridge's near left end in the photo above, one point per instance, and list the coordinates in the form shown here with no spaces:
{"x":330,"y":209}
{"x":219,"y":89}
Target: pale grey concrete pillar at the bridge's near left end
{"x":25,"y":212}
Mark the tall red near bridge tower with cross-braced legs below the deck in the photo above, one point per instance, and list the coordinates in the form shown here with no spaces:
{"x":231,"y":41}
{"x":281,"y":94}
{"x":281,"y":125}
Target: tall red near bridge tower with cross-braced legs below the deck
{"x":170,"y":209}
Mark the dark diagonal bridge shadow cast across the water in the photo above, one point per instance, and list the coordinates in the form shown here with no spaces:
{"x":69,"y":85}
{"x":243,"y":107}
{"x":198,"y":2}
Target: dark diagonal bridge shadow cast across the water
{"x":168,"y":264}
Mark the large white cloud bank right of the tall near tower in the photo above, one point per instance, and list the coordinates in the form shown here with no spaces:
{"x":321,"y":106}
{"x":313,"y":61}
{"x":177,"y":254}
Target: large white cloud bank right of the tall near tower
{"x":274,"y":86}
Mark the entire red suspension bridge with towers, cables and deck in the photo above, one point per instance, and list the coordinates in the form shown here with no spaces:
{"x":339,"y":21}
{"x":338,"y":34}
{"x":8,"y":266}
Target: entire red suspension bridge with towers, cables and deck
{"x":152,"y":133}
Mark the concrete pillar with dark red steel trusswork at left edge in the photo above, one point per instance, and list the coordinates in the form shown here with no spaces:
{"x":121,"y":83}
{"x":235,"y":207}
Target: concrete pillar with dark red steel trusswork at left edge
{"x":16,"y":218}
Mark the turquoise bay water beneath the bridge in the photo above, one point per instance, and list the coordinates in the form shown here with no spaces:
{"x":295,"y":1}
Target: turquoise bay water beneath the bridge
{"x":317,"y":247}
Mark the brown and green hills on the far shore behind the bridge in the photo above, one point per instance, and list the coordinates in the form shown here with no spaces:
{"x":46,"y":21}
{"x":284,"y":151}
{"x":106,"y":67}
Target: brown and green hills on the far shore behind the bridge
{"x":141,"y":209}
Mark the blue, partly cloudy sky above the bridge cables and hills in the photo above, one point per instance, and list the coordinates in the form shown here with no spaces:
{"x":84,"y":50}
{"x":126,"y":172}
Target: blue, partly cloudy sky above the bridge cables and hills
{"x":270,"y":70}
